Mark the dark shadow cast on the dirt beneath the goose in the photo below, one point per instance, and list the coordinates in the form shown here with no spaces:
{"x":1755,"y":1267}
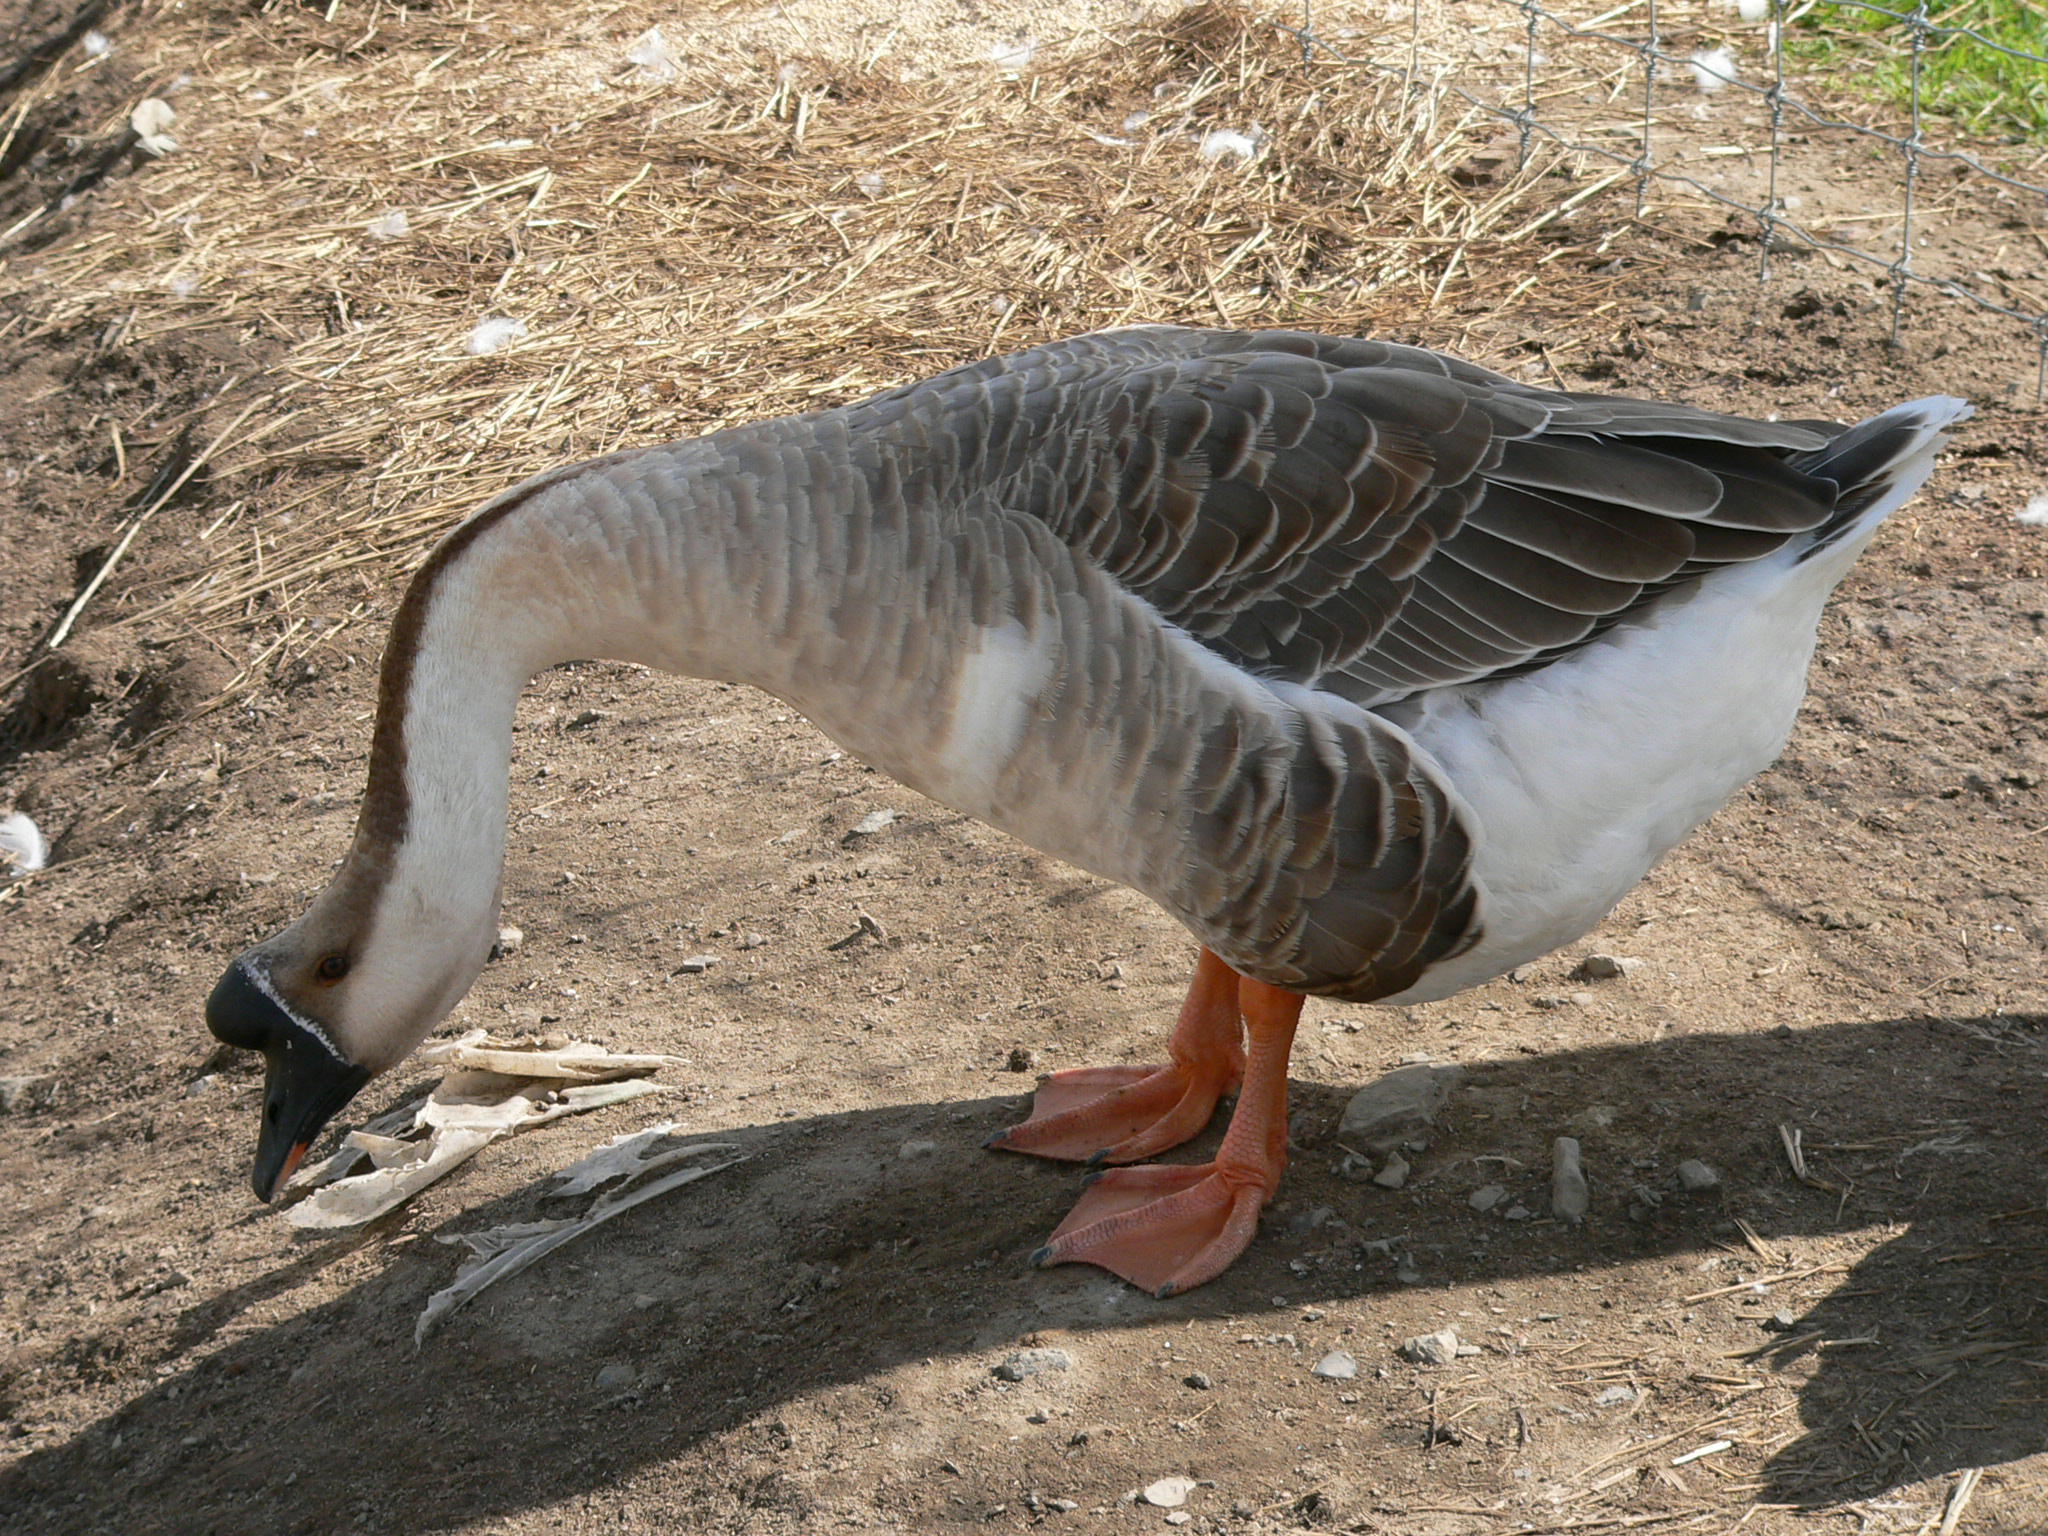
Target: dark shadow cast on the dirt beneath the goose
{"x":830,"y":1258}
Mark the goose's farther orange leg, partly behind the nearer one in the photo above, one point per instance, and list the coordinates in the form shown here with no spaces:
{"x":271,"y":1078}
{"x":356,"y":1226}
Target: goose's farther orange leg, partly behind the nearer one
{"x":1117,"y":1115}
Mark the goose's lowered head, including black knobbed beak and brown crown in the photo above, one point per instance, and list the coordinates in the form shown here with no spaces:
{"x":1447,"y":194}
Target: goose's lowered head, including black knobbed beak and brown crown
{"x":335,"y":1000}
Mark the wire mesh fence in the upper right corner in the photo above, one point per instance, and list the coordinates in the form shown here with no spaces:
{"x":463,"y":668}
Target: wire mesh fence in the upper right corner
{"x":1555,"y":52}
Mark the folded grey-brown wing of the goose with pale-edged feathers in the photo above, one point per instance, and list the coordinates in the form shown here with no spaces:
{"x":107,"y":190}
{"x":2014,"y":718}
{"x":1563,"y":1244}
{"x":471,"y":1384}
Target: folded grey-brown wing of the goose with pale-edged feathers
{"x":1365,"y":517}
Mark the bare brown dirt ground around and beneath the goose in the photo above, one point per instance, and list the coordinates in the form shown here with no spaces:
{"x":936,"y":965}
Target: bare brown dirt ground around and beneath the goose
{"x":808,"y":1340}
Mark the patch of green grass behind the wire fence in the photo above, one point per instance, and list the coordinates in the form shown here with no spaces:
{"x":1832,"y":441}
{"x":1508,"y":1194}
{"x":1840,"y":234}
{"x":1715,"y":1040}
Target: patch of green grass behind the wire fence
{"x":1979,"y":89}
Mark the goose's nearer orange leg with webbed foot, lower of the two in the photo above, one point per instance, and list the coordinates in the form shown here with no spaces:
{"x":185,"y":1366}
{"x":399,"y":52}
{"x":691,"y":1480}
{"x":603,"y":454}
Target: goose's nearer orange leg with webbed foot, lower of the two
{"x":1166,"y":1228}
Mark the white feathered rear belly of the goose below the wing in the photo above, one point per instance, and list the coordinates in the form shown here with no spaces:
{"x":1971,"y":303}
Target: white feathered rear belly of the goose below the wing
{"x":1584,"y":775}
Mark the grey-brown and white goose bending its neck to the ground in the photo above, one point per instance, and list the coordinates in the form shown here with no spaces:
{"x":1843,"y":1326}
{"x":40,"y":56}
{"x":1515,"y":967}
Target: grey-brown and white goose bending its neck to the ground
{"x":1377,"y":671}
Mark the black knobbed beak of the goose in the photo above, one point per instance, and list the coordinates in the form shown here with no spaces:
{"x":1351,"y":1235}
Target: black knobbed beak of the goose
{"x":306,"y":1080}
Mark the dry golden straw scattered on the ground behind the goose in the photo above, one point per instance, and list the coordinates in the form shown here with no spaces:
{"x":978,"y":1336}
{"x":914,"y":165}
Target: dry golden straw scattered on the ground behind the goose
{"x":458,"y":251}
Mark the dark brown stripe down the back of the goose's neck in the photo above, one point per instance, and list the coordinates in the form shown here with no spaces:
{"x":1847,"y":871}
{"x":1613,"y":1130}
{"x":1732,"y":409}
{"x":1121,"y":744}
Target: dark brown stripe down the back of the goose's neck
{"x":386,"y":814}
